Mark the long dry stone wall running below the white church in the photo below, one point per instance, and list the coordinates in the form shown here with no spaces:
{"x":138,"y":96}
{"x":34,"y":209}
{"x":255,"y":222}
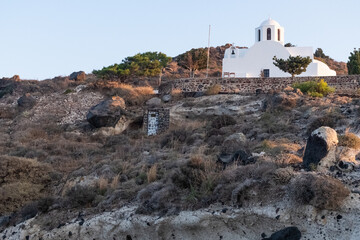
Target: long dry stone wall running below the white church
{"x":348,"y":84}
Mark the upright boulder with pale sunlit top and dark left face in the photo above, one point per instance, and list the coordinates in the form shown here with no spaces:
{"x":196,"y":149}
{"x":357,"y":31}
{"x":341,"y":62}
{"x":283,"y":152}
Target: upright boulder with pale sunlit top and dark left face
{"x":320,"y":149}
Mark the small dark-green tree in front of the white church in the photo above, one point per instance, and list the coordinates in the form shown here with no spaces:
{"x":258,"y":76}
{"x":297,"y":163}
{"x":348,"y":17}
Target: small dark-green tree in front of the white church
{"x":293,"y":65}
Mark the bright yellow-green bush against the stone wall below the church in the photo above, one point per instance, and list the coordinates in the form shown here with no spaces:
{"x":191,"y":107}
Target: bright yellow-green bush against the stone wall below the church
{"x":315,"y":88}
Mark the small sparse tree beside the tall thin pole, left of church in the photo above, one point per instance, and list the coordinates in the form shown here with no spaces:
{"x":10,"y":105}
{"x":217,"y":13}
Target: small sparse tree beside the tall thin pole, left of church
{"x":193,"y":60}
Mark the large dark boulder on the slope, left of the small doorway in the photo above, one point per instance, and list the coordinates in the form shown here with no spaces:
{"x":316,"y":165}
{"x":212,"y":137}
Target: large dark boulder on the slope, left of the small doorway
{"x":107,"y":113}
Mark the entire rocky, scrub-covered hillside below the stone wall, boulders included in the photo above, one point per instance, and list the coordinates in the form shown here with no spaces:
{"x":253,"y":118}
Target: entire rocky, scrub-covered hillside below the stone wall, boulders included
{"x":75,"y":163}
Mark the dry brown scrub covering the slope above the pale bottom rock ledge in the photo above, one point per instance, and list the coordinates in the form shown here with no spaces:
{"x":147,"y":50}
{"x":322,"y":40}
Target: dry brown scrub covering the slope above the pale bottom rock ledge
{"x":241,"y":151}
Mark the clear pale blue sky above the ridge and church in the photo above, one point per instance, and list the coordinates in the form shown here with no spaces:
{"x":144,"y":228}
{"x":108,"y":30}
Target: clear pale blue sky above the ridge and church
{"x":46,"y":38}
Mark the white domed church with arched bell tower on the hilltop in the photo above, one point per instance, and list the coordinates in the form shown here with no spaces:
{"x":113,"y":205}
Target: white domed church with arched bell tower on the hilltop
{"x":257,"y":61}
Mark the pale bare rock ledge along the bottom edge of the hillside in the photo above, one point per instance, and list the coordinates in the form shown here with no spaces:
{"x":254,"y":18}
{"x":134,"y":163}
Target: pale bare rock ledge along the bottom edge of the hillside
{"x":218,"y":222}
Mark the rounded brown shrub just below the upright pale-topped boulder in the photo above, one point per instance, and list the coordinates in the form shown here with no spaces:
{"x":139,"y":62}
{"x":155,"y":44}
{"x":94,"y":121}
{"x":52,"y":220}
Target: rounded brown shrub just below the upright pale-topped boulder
{"x":322,"y":192}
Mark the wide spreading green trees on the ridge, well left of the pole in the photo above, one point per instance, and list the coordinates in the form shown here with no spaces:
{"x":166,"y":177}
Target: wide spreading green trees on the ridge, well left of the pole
{"x":149,"y":64}
